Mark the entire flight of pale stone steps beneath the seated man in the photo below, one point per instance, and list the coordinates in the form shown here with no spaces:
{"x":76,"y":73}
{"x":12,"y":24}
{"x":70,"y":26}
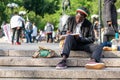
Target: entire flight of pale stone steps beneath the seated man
{"x":19,"y":65}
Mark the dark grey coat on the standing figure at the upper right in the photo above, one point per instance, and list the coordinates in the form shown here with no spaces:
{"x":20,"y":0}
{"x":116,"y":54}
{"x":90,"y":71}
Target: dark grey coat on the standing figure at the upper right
{"x":110,"y":13}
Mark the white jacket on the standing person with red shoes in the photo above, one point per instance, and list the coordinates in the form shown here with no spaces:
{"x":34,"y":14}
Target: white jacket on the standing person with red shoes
{"x":16,"y":21}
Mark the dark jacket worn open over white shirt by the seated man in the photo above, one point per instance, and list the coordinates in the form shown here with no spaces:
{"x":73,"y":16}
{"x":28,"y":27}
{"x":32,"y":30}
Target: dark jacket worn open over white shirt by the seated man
{"x":86,"y":30}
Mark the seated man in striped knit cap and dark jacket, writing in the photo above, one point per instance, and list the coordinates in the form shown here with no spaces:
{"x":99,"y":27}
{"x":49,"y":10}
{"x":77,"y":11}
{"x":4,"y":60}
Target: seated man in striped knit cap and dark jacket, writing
{"x":84,"y":41}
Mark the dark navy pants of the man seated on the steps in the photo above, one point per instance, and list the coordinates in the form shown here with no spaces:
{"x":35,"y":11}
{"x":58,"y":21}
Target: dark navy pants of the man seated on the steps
{"x":72,"y":44}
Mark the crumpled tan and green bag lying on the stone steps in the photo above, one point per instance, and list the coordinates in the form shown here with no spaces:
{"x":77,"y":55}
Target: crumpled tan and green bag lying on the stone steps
{"x":44,"y":52}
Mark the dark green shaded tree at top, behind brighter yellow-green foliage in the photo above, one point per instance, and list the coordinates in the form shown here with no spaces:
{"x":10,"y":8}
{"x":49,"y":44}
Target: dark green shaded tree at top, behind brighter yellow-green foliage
{"x":40,"y":7}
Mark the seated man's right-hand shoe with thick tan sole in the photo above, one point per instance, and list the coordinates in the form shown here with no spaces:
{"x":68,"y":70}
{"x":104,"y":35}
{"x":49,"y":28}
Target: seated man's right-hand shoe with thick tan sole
{"x":94,"y":65}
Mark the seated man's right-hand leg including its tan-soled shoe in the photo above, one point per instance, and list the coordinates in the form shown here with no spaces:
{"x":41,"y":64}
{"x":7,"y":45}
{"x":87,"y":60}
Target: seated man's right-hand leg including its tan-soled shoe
{"x":96,"y":51}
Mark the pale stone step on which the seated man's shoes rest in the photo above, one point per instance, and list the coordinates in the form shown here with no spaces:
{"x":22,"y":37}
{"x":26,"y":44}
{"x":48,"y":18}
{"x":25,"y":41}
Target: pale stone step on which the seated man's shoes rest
{"x":51,"y":72}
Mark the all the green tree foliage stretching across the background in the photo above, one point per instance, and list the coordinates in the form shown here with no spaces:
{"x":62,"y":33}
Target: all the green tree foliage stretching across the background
{"x":43,"y":11}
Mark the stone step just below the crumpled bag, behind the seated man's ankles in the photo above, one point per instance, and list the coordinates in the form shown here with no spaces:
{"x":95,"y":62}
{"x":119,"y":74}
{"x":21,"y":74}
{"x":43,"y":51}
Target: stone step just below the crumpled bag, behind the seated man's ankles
{"x":38,"y":62}
